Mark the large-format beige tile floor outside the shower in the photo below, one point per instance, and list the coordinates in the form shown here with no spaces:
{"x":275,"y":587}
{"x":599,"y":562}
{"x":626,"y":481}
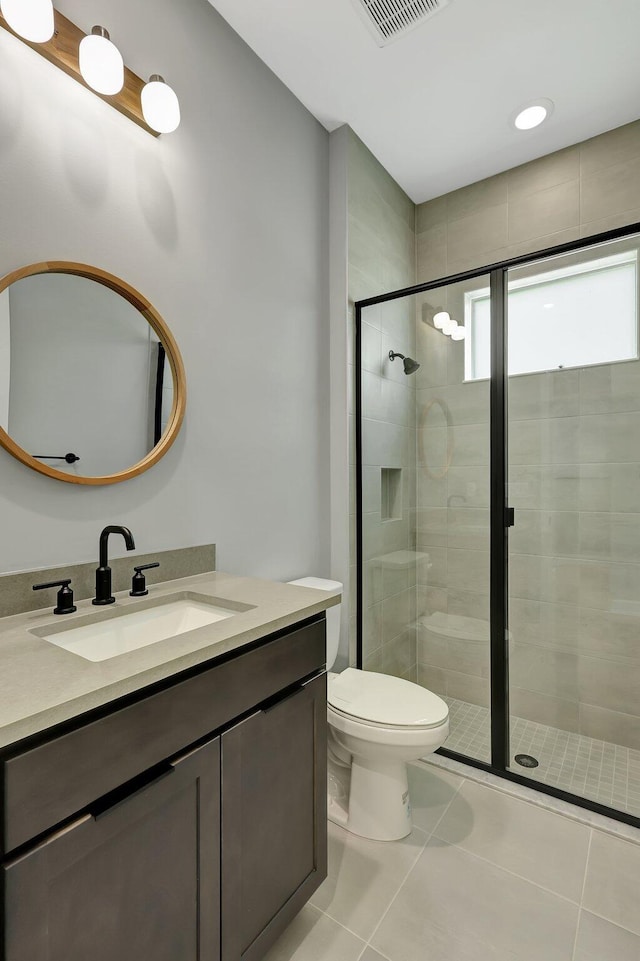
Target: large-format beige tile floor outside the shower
{"x":483,"y":877}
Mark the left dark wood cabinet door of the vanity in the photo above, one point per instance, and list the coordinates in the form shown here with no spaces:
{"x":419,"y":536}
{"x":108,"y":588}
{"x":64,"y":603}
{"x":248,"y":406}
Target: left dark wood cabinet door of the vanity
{"x":137,"y":880}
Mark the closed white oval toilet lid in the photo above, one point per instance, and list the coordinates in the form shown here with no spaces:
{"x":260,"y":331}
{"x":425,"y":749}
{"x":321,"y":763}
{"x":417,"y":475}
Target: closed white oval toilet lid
{"x":383,"y":699}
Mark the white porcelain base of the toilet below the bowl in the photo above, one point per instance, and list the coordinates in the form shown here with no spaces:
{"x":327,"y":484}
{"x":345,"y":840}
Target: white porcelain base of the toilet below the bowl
{"x":371,"y":799}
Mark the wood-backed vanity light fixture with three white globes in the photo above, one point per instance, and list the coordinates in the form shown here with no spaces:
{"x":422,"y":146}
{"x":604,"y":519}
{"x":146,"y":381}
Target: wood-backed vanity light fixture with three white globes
{"x":94,"y":61}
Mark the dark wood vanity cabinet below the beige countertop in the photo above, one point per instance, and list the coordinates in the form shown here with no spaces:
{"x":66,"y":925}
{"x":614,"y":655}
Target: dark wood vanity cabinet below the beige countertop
{"x":204,"y":854}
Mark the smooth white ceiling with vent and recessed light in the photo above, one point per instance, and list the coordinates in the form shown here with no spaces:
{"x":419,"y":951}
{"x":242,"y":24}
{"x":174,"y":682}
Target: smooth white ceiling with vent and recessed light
{"x":434,"y":105}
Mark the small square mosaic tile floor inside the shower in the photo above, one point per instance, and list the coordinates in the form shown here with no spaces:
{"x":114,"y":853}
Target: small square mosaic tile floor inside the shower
{"x":594,"y":769}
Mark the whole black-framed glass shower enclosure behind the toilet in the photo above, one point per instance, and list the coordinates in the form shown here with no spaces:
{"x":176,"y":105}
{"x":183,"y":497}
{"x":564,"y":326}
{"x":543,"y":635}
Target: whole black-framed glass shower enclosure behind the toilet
{"x":498,"y":488}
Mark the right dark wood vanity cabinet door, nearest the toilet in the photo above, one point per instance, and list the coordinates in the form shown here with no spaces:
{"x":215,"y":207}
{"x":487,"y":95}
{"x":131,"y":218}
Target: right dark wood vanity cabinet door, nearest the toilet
{"x":274,"y":819}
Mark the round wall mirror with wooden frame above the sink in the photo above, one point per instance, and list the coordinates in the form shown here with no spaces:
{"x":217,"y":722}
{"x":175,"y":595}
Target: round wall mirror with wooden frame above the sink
{"x":92,"y":385}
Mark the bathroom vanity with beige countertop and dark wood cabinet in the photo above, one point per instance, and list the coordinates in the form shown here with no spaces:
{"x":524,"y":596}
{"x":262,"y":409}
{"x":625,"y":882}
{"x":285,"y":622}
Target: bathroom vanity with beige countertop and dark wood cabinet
{"x":182,"y":816}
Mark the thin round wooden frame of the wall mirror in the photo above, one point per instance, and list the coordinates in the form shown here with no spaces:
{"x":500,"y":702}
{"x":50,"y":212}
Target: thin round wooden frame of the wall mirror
{"x":156,"y":322}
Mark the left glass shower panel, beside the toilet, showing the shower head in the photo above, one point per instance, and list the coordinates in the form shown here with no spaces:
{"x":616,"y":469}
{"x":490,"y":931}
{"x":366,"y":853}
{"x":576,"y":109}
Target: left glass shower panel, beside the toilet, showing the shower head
{"x":424,"y":458}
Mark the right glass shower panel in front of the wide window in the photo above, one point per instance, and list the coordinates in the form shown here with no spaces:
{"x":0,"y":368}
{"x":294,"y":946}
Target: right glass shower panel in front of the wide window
{"x":574,"y":552}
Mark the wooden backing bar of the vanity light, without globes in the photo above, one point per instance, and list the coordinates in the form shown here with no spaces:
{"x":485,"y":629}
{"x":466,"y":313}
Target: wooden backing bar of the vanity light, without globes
{"x":62,"y":50}
